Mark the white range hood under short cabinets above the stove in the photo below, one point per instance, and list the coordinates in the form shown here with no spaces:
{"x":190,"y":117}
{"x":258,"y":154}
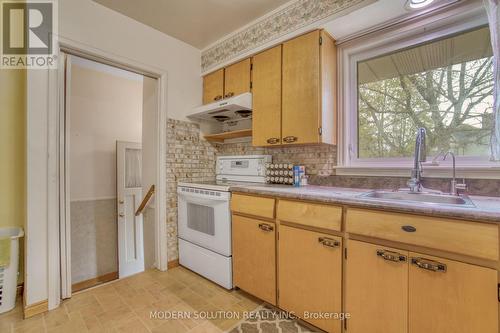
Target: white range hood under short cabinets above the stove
{"x":233,"y":108}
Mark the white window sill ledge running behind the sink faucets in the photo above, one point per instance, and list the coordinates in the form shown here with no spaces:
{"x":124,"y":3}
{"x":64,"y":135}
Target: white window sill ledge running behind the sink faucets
{"x":470,"y":172}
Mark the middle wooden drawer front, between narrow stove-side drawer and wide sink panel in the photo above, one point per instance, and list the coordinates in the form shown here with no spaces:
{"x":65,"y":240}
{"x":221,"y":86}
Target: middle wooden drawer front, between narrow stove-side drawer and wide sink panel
{"x":314,"y":215}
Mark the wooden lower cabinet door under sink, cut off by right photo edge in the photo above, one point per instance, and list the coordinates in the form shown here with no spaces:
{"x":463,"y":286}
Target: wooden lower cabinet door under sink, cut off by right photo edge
{"x":447,"y":296}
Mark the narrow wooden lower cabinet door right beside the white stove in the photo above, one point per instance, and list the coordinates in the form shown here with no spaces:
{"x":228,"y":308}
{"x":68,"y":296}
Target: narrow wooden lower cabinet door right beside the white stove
{"x":254,"y":257}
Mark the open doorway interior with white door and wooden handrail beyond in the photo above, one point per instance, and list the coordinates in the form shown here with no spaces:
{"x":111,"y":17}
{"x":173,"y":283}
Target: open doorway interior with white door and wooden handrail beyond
{"x":109,"y":162}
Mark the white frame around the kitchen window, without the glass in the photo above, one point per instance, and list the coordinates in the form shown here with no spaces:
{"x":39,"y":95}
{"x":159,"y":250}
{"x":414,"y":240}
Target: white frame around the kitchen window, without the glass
{"x":406,"y":34}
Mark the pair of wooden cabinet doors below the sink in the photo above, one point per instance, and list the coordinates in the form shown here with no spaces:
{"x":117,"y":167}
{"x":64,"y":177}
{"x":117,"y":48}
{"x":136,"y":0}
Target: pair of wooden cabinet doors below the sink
{"x":395,"y":291}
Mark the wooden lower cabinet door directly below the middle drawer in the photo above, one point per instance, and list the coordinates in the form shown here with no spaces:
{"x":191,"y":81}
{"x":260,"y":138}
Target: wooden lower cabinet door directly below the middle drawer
{"x":310,"y":275}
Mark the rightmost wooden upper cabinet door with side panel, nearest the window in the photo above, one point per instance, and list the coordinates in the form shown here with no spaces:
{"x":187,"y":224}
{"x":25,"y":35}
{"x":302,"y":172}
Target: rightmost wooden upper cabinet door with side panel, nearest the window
{"x":309,"y":78}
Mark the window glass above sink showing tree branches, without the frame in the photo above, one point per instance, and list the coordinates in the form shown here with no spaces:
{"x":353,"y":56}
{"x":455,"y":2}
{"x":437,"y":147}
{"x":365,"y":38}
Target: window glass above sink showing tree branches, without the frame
{"x":445,"y":86}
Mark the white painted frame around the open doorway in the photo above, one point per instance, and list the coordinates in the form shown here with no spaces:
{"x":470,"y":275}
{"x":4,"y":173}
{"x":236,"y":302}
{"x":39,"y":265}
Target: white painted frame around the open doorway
{"x":58,"y":222}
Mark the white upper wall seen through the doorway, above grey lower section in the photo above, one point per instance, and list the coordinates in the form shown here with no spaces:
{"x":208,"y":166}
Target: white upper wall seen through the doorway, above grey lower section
{"x":105,"y":106}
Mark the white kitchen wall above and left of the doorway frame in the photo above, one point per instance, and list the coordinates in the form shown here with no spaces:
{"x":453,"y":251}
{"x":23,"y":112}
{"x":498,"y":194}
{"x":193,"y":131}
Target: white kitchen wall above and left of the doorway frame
{"x":85,"y":22}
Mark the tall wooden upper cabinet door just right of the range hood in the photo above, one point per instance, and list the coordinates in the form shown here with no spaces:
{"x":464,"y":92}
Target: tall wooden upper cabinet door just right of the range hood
{"x":266,"y":91}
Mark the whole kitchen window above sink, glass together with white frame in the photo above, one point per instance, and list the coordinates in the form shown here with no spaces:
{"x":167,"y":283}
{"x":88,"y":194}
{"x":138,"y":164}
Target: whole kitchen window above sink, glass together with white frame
{"x":437,"y":78}
